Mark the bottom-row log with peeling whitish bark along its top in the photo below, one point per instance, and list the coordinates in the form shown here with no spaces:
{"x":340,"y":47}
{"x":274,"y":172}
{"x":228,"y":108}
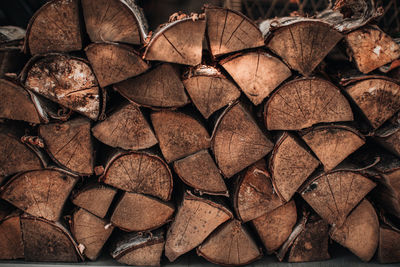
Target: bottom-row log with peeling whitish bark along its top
{"x":139,"y":249}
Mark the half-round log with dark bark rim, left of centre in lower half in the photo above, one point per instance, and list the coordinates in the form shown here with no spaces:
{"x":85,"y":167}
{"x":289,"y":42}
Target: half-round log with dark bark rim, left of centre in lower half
{"x":139,"y":172}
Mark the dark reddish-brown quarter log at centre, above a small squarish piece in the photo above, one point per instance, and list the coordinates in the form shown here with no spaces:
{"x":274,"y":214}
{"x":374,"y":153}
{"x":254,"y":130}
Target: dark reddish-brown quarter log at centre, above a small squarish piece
{"x":179,"y":135}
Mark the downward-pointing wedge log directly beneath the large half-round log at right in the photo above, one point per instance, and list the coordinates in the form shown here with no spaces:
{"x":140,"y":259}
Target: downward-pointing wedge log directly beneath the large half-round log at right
{"x":332,"y":144}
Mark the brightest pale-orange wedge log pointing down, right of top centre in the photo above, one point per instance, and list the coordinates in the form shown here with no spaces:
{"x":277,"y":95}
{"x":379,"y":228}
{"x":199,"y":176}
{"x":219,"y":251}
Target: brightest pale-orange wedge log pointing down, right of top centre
{"x":257,"y":73}
